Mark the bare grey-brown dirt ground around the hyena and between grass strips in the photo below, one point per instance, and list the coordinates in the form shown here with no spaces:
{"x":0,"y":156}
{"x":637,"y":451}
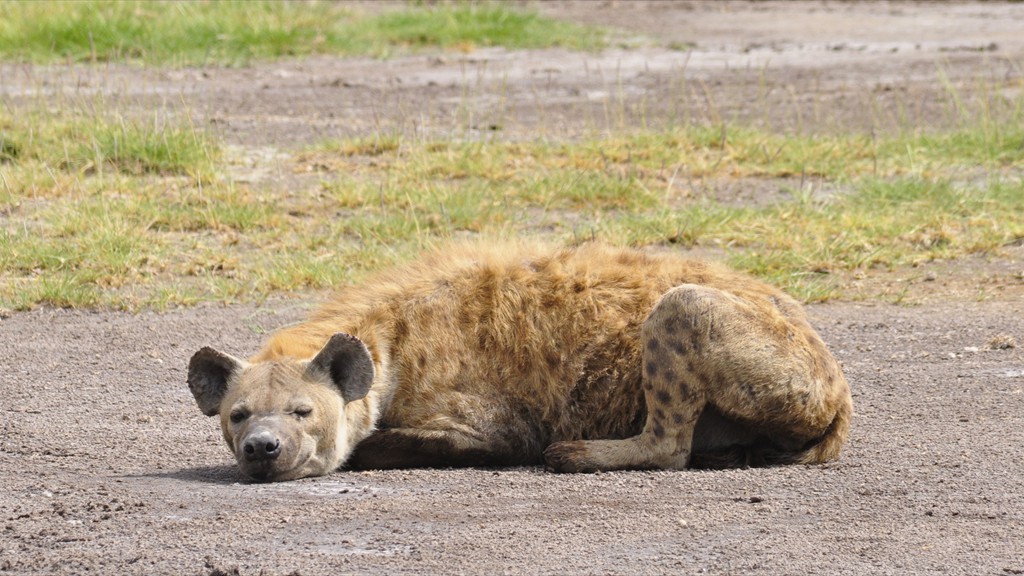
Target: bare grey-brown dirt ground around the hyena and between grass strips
{"x":107,"y":467}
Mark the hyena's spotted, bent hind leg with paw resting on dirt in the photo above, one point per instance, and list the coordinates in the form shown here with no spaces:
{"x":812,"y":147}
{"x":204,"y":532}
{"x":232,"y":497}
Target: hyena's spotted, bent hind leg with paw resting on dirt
{"x":744,"y":357}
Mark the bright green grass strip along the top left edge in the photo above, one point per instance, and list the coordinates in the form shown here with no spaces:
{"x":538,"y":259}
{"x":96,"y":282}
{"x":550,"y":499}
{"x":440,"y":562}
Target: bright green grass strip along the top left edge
{"x":237,"y":33}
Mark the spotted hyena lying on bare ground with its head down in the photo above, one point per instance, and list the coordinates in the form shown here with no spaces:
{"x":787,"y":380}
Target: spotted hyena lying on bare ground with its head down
{"x":586,"y":359}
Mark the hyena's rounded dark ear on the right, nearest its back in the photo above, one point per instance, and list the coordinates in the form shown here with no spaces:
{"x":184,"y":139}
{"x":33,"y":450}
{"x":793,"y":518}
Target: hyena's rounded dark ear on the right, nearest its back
{"x":347,"y":362}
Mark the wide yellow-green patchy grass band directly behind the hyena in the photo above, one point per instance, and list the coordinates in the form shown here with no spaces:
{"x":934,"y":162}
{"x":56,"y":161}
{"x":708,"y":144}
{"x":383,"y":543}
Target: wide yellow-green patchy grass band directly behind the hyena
{"x":95,"y":217}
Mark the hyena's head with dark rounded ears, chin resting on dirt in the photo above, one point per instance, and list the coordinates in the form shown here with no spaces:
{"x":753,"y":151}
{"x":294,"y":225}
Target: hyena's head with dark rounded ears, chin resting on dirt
{"x":285,"y":419}
